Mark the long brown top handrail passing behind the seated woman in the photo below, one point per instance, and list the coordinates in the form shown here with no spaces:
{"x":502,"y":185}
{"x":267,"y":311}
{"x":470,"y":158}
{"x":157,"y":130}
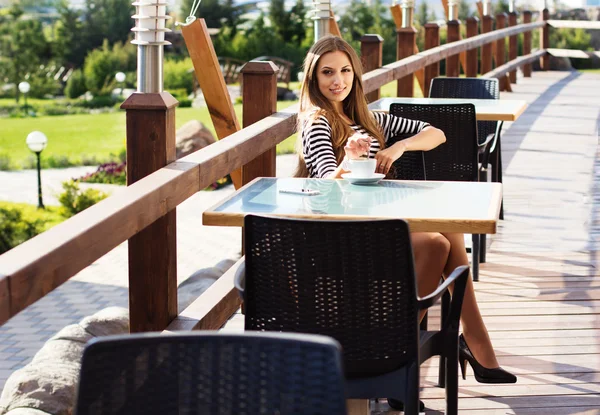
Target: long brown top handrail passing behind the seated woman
{"x":31,"y":270}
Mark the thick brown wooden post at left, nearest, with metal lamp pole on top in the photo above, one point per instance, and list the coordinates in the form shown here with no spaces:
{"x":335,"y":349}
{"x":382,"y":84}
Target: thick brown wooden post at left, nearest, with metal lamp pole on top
{"x":153,"y":250}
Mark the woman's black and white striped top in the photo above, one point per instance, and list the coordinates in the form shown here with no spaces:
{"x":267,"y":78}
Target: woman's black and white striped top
{"x":317,"y":147}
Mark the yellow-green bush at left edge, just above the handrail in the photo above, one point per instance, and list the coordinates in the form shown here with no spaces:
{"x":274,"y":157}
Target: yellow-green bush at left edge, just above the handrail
{"x":20,"y":222}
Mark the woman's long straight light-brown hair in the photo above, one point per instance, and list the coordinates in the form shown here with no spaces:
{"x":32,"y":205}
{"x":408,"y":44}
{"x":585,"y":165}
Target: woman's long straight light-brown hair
{"x":313,"y":104}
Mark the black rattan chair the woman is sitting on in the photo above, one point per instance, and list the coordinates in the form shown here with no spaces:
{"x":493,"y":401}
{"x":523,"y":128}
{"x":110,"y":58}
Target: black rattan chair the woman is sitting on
{"x":456,"y":159}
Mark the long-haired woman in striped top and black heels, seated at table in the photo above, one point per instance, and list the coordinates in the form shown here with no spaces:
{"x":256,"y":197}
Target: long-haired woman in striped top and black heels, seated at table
{"x":336,"y":125}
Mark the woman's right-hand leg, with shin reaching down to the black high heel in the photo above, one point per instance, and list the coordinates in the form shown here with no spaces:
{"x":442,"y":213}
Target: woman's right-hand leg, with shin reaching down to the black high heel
{"x":474,"y":330}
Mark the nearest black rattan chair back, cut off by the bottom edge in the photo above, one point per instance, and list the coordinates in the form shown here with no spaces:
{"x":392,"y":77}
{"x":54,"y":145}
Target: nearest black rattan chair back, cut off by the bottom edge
{"x":211,"y":373}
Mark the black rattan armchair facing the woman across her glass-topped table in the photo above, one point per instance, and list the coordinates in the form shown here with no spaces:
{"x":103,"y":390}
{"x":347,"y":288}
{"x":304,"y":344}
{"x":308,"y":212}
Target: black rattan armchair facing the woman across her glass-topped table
{"x":353,"y":281}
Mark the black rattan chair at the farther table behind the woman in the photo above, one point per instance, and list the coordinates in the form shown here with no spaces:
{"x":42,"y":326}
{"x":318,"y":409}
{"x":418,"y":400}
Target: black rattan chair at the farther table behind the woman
{"x":488,"y":131}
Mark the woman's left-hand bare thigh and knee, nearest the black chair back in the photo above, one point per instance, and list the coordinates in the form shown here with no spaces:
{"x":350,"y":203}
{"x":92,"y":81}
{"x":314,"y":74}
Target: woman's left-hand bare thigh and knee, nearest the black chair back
{"x":430,"y":251}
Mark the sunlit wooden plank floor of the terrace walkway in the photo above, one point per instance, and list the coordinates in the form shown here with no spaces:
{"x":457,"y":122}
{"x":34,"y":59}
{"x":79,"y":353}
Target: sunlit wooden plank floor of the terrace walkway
{"x":539,"y":290}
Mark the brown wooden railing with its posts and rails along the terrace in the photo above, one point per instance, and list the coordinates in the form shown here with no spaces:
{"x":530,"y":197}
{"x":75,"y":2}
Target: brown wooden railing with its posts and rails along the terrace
{"x":33,"y":269}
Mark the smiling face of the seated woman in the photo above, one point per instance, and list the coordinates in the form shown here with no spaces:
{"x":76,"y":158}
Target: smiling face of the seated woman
{"x":335,"y":76}
